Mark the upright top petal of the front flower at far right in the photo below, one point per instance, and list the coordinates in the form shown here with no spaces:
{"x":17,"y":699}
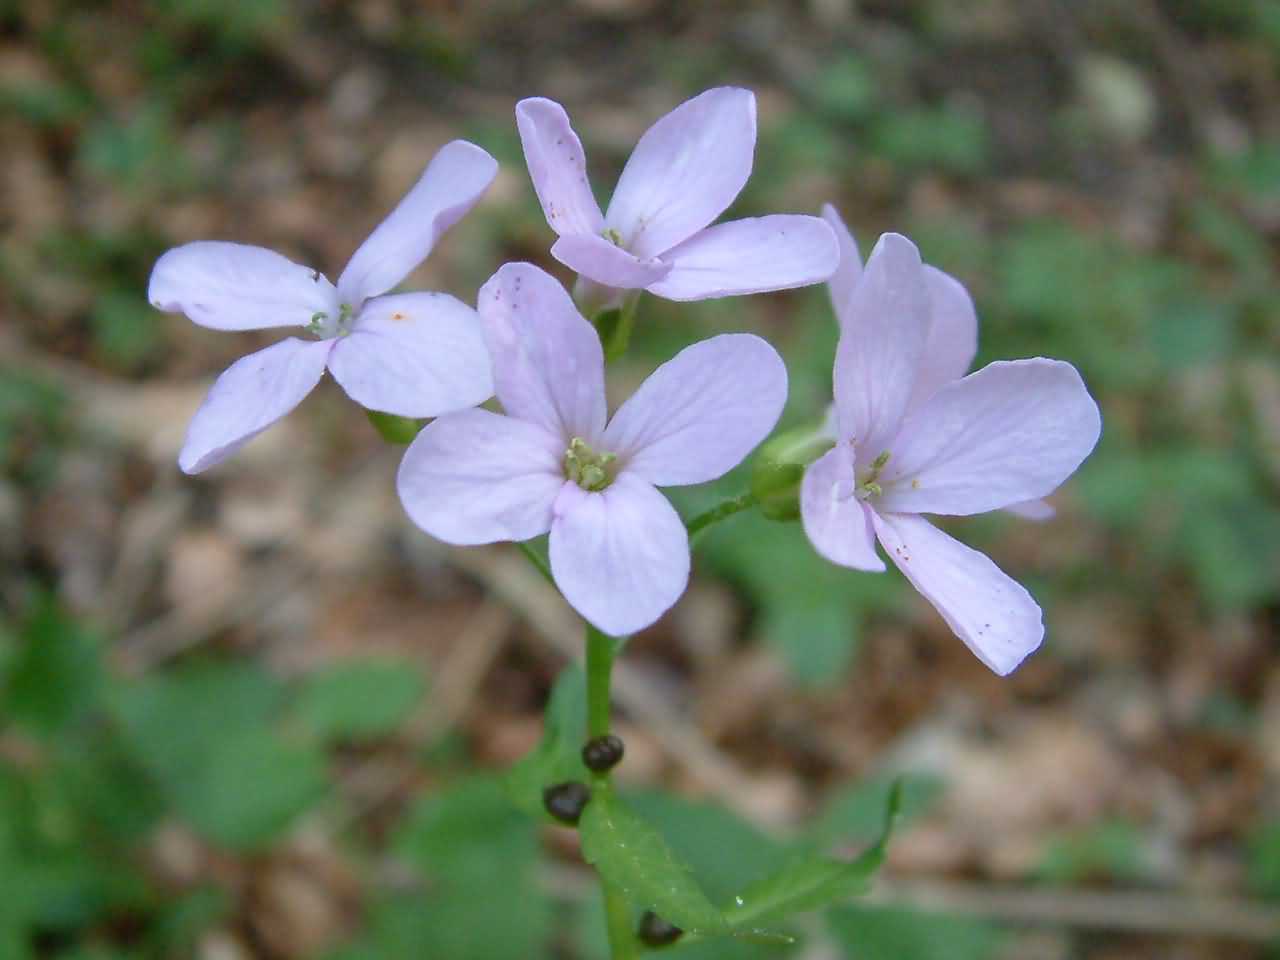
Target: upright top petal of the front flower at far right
{"x":881,"y":344}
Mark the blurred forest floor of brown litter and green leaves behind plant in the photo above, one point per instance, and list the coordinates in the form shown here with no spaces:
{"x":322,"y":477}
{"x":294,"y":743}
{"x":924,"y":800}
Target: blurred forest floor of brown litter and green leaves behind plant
{"x":259,"y":715}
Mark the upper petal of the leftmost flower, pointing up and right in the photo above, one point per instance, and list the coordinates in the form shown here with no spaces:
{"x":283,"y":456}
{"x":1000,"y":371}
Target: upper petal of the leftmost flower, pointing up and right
{"x":447,"y":190}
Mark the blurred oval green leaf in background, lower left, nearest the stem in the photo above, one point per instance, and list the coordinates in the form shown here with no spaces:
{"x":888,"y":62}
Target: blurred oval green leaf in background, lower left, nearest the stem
{"x":359,"y":700}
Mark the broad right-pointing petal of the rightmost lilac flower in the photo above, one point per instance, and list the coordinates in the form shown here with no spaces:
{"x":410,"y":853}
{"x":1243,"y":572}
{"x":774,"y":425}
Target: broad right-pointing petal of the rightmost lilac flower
{"x":1008,"y":433}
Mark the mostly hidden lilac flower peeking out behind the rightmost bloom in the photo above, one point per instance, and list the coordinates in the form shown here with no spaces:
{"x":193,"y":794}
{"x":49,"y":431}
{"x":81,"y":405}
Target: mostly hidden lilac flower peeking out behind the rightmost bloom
{"x":953,"y":337}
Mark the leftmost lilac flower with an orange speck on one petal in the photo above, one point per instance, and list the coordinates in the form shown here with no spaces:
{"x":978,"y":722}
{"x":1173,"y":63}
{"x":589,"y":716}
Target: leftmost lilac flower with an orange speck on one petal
{"x":415,"y":355}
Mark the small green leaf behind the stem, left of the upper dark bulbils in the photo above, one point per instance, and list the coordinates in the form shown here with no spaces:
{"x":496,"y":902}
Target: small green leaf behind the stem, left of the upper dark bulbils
{"x":557,"y":758}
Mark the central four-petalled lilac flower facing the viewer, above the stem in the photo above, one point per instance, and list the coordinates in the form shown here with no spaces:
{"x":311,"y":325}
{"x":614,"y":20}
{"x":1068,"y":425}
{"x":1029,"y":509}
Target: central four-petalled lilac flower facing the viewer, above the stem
{"x":556,"y":463}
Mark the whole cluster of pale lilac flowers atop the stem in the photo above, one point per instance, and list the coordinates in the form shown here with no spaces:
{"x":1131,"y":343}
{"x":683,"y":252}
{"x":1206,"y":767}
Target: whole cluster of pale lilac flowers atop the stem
{"x":909,"y":432}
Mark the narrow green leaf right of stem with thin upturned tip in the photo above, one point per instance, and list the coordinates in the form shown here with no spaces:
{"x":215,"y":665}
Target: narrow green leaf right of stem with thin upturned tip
{"x":812,"y":883}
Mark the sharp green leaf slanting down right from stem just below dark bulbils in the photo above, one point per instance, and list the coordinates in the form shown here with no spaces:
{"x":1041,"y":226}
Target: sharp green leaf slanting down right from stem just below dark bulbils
{"x":633,"y":857}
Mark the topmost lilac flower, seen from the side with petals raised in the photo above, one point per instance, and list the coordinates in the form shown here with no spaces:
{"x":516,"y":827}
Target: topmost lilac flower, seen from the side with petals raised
{"x":684,"y":173}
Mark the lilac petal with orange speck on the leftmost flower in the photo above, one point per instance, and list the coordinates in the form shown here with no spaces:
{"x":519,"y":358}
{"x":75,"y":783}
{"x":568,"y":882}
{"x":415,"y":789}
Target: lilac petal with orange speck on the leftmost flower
{"x":418,"y":355}
